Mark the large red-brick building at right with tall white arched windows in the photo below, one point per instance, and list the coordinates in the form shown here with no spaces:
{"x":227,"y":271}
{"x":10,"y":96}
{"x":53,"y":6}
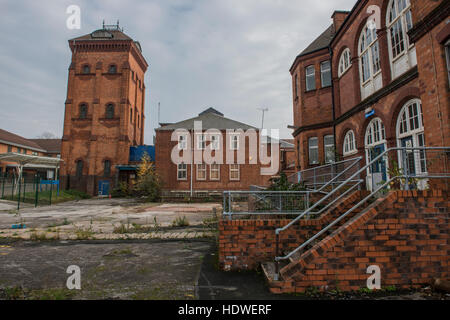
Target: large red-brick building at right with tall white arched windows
{"x":359,"y":90}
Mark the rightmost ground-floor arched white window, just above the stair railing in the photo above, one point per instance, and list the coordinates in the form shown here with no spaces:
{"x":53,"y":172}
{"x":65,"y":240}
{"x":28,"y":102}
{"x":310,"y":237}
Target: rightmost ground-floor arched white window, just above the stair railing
{"x":410,"y":134}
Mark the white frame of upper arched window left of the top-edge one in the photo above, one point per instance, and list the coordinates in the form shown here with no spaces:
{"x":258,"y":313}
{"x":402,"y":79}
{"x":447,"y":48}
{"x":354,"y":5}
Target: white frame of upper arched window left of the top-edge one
{"x":368,"y":48}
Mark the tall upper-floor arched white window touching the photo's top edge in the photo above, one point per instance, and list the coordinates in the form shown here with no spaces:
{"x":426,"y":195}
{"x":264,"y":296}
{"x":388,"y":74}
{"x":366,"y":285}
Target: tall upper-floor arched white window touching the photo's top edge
{"x":401,"y":52}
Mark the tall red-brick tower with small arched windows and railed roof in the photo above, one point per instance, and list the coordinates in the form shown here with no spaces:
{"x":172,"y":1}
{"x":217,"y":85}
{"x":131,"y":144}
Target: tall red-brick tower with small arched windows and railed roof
{"x":104,"y":109}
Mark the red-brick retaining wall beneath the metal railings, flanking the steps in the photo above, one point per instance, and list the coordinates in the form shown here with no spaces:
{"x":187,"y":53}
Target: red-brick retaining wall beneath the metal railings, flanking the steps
{"x":405,"y":234}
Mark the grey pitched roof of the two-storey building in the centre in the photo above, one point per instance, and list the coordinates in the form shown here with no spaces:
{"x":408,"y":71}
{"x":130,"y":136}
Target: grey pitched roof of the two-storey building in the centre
{"x":211,"y":119}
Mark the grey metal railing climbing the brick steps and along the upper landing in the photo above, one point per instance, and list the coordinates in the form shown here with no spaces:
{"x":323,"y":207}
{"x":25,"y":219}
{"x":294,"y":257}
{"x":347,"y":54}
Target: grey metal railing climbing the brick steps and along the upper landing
{"x":413,"y":165}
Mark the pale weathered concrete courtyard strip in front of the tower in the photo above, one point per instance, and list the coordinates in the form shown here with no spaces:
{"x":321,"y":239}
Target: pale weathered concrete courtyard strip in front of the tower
{"x":108,"y":219}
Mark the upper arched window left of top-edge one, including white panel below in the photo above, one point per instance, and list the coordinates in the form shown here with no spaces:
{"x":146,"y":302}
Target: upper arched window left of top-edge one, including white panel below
{"x":370,"y":64}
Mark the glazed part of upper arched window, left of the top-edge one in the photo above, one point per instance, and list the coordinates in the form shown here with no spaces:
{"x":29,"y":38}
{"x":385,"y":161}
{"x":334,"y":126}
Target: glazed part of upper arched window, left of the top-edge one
{"x":369,"y":54}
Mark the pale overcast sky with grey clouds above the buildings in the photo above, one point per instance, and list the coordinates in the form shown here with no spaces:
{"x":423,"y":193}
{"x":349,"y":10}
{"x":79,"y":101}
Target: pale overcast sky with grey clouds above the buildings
{"x":233,"y":55}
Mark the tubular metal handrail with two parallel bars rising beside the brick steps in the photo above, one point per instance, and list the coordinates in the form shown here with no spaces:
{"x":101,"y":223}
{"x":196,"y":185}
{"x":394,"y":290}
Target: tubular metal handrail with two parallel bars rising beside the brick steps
{"x":376,"y":159}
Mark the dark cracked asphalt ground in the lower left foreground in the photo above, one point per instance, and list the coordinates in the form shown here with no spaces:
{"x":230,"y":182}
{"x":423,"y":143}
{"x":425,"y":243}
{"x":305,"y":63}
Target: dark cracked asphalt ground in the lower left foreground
{"x":152,"y":270}
